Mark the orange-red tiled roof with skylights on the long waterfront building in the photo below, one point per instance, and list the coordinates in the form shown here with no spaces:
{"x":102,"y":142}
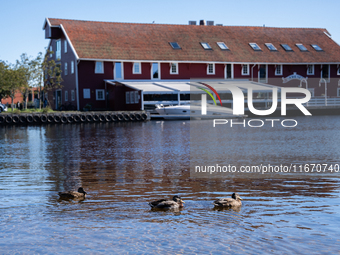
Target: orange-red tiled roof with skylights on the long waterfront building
{"x":150,"y":42}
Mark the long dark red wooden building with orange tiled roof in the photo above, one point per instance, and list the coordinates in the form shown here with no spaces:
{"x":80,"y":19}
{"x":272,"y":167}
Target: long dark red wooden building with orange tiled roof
{"x":98,"y":57}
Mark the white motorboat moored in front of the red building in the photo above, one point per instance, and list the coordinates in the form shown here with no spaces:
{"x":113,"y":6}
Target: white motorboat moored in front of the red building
{"x":187,"y":111}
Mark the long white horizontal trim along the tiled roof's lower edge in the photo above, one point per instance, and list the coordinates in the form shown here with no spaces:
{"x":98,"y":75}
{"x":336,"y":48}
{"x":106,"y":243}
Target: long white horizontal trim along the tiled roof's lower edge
{"x":204,"y":62}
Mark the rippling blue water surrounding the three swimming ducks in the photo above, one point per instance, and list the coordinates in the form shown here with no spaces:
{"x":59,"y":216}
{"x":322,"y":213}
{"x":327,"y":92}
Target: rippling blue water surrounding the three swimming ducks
{"x":122,"y":166}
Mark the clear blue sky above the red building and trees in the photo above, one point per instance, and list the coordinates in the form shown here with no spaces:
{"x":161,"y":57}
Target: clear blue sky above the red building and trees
{"x":22,"y":21}
